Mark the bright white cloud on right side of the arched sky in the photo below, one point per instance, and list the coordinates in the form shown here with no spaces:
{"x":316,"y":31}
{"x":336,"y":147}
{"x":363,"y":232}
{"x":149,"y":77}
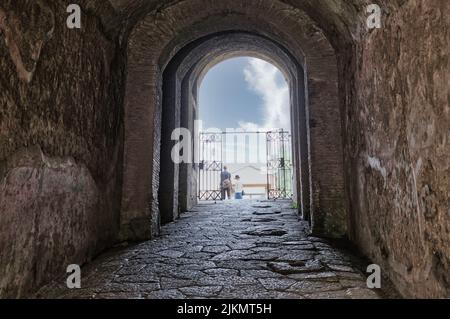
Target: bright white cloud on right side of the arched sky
{"x":263,"y":78}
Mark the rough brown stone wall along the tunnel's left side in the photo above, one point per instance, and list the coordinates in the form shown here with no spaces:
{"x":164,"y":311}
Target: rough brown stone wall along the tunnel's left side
{"x":60,"y":141}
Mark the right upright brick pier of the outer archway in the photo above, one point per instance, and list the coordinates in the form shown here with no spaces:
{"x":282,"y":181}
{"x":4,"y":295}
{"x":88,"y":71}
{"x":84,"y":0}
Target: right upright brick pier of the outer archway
{"x":329,"y":204}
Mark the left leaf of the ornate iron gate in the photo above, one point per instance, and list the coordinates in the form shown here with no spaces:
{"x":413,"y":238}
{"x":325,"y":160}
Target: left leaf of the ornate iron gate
{"x":210,"y":166}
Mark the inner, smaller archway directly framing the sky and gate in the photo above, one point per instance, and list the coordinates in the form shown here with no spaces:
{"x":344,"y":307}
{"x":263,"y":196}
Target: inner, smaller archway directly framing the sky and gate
{"x":182,"y":78}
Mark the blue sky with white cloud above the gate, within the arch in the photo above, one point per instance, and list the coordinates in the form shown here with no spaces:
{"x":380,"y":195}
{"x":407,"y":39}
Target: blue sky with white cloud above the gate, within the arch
{"x":244,"y":93}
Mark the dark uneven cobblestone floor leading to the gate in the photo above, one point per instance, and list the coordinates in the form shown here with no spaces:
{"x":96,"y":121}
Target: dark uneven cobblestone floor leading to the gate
{"x":228,"y":250}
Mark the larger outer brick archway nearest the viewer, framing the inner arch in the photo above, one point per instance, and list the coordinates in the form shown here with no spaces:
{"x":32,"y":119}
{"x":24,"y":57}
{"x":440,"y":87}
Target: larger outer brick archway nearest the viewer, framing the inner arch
{"x":150,"y":52}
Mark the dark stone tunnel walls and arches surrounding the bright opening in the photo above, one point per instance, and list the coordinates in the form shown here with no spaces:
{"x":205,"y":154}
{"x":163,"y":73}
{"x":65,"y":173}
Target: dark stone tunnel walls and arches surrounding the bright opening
{"x":87,"y":113}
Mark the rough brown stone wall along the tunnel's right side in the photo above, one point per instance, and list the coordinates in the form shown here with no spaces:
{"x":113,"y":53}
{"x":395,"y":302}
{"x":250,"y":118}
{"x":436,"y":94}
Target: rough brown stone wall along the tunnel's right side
{"x":397,"y":148}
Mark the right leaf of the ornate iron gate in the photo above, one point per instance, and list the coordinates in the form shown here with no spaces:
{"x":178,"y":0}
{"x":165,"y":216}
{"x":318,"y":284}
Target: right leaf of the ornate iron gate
{"x":279,"y":165}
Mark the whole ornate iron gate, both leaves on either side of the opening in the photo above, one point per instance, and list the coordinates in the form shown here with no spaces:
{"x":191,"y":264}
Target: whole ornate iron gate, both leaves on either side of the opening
{"x":278,"y":164}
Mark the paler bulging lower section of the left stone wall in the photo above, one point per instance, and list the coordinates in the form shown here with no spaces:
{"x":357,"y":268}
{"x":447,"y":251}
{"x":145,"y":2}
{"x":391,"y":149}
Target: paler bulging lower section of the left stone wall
{"x":53,"y":214}
